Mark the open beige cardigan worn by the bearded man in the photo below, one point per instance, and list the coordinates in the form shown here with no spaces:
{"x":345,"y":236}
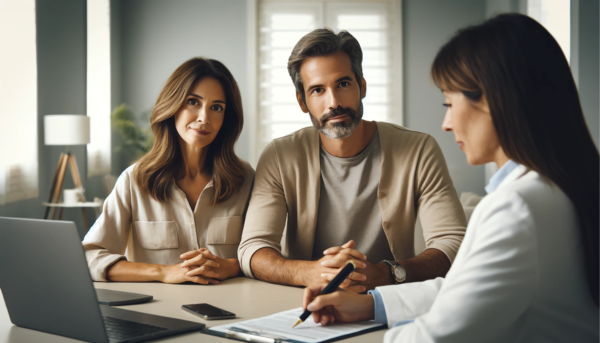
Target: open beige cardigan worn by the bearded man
{"x":414,"y":177}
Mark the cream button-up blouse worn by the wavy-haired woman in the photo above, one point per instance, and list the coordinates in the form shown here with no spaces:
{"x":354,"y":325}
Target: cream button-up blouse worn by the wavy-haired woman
{"x":134,"y":226}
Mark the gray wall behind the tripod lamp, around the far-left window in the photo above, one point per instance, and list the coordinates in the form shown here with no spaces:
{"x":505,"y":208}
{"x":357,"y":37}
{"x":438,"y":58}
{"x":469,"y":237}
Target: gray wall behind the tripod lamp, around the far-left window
{"x":61,"y":51}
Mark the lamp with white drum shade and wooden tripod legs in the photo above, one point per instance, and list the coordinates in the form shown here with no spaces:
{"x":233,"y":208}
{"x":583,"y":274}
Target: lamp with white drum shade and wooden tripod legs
{"x":65,"y":129}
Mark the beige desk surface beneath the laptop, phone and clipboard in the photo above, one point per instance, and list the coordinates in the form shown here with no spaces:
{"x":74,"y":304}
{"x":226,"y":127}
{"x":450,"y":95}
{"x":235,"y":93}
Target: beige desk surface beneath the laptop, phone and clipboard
{"x":245,"y":297}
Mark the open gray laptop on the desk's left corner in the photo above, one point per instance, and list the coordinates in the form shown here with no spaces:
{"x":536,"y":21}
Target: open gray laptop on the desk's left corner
{"x":47,"y":287}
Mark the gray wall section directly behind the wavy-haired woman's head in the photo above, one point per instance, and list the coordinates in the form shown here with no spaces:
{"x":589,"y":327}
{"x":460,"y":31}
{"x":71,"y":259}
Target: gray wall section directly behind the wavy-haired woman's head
{"x":156,"y":36}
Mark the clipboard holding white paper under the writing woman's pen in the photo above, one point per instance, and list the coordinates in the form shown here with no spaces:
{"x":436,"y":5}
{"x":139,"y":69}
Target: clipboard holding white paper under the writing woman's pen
{"x":275,"y":329}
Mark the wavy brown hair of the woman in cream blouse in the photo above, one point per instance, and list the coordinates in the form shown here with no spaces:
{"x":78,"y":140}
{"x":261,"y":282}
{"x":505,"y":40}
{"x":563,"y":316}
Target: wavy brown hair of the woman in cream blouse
{"x":164,"y":162}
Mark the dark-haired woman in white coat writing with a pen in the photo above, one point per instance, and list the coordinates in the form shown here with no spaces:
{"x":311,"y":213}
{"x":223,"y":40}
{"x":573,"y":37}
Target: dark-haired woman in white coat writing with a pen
{"x":527,"y":270}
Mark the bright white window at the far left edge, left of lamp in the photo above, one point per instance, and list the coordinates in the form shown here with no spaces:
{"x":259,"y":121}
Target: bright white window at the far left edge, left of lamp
{"x":18,"y":96}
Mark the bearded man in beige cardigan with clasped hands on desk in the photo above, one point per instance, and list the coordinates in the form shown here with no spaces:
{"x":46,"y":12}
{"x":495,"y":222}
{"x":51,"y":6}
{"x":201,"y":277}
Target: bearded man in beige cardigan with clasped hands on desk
{"x":346,"y":188}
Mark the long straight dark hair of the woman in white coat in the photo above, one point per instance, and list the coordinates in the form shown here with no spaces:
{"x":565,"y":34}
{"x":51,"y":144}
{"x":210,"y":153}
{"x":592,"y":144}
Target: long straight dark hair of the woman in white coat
{"x":523,"y":74}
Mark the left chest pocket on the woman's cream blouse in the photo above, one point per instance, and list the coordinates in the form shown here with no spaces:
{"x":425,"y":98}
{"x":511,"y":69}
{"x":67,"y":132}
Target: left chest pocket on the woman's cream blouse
{"x":156,"y":235}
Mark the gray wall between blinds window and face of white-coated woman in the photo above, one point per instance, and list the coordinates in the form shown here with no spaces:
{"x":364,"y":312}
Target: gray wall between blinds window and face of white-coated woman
{"x":427,"y":25}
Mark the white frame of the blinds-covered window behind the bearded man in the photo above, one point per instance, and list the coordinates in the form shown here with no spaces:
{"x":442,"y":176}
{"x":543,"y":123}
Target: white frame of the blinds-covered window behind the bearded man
{"x":395,"y":92}
